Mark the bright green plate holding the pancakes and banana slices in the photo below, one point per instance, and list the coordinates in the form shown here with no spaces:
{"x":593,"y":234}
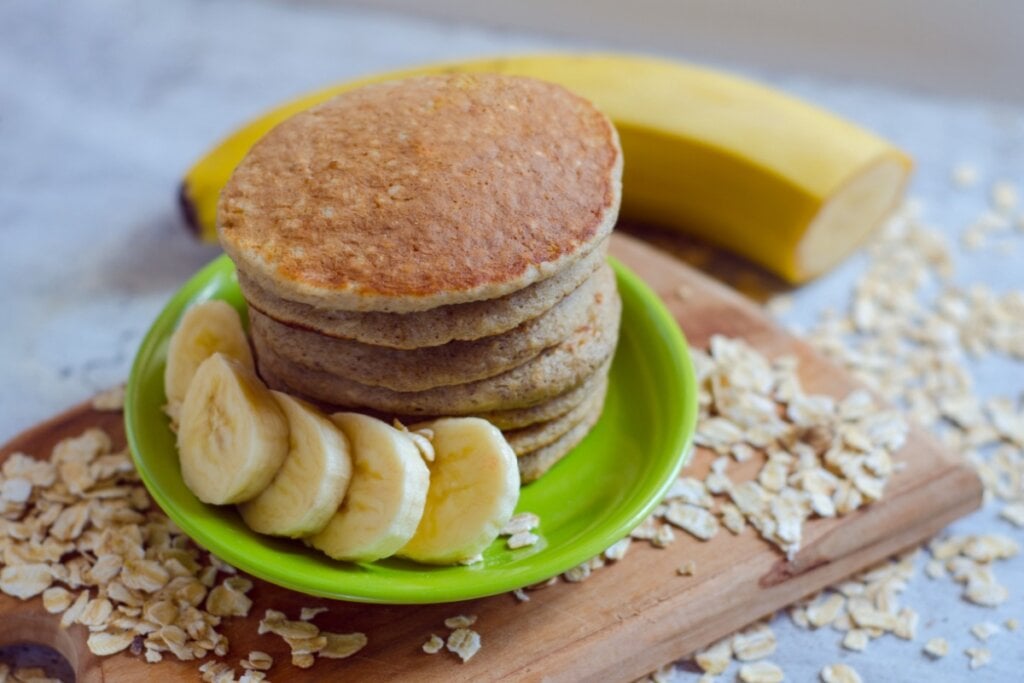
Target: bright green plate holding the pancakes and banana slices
{"x":601,"y":492}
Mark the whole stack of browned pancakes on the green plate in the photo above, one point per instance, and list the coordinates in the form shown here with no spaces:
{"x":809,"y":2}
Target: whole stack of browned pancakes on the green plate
{"x":437,"y":247}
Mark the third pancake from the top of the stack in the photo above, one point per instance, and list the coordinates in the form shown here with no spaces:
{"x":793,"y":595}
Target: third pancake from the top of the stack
{"x":456,"y":363}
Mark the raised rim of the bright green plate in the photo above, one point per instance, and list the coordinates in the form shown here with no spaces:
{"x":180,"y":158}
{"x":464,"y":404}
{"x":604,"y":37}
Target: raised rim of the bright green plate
{"x":594,"y":544}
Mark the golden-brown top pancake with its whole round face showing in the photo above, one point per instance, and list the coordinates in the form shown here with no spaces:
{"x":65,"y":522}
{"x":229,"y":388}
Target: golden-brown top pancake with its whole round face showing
{"x":410,"y":195}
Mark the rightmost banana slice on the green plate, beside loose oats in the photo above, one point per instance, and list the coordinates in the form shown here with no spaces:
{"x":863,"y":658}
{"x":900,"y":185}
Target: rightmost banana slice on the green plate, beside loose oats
{"x":475,"y":488}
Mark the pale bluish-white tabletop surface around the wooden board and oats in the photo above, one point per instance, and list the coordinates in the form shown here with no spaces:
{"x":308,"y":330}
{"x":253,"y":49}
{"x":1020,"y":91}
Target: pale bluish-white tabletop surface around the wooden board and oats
{"x":104,"y":105}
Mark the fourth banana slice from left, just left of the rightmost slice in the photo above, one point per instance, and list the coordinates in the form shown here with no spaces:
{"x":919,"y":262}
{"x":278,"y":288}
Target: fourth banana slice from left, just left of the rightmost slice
{"x":386,"y":497}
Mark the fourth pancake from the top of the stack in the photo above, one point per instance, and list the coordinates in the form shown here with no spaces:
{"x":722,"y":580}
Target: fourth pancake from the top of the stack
{"x":553,"y":372}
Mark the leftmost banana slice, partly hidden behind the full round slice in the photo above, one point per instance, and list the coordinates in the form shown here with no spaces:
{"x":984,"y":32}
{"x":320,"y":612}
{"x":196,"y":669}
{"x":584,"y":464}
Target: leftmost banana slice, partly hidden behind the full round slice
{"x":205,"y":329}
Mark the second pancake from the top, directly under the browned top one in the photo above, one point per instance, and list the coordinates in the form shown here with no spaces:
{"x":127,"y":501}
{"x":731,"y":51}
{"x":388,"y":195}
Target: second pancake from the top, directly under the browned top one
{"x":430,"y":328}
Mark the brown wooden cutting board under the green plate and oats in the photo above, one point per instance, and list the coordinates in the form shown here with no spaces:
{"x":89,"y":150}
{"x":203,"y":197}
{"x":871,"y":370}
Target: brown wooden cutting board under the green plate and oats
{"x":627,"y":619}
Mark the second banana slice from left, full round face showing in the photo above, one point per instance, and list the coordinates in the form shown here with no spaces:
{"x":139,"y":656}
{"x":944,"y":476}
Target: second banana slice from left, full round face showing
{"x":233,"y":437}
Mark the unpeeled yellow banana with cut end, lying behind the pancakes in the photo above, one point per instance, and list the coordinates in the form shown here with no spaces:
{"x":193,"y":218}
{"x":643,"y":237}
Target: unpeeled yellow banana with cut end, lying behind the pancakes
{"x":785,"y":184}
